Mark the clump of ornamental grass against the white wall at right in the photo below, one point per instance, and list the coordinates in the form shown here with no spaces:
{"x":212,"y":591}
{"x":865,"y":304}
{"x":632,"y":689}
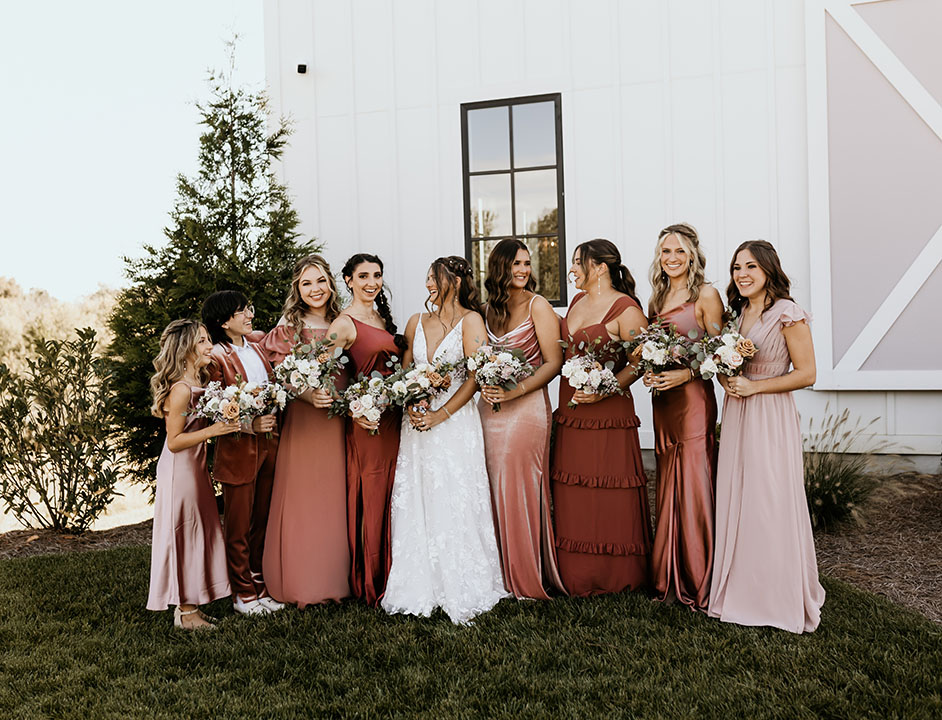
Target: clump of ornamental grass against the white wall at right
{"x":835,"y":462}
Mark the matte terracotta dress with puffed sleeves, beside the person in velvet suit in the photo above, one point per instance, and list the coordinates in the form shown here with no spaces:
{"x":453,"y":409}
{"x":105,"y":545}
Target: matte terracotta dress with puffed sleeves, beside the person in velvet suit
{"x":307,"y":554}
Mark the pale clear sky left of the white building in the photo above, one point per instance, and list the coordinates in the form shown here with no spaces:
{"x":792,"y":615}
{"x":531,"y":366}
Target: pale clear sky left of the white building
{"x":97,"y":119}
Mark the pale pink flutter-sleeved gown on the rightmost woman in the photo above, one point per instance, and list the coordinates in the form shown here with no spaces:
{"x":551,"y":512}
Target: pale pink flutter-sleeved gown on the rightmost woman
{"x":764,"y":566}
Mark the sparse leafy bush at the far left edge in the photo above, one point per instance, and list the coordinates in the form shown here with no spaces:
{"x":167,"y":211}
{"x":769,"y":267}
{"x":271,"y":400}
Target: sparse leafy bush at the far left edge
{"x":58,"y":457}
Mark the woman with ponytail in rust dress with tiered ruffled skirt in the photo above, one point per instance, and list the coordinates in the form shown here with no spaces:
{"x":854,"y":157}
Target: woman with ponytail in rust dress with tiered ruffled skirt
{"x":603,"y":525}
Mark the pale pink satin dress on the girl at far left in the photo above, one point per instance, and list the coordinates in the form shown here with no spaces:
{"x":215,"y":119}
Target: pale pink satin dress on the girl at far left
{"x":188,"y":554}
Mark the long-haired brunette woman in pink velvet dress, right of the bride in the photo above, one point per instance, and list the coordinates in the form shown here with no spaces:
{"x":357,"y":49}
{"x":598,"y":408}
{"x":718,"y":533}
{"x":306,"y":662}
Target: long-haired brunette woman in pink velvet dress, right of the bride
{"x":516,"y":438}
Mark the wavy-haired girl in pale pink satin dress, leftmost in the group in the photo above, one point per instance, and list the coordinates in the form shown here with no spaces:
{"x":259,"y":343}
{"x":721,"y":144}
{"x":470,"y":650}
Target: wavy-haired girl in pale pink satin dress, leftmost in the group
{"x":188,"y":555}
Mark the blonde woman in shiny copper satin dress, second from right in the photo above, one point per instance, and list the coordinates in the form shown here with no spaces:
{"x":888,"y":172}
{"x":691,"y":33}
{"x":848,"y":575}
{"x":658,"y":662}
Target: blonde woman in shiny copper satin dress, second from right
{"x":684,"y":425}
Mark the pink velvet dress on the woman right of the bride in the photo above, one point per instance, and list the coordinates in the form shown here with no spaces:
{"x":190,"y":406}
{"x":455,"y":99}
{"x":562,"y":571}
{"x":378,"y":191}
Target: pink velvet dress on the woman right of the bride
{"x":516,"y":441}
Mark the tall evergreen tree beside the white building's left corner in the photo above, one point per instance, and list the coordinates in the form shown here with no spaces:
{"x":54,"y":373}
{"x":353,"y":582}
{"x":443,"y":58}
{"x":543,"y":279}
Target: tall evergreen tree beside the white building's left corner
{"x":232,"y":227}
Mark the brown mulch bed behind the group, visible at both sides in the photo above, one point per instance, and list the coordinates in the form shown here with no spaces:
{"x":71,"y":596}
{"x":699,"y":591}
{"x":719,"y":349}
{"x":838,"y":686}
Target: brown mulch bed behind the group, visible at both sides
{"x":896,"y":551}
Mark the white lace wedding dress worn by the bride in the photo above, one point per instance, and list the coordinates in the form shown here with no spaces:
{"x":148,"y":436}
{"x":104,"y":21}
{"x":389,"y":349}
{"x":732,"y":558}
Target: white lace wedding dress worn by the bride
{"x":444,"y":548}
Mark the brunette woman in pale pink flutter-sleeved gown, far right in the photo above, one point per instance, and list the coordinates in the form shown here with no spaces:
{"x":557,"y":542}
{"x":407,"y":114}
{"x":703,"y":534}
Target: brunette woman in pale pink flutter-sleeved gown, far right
{"x":764,"y":568}
